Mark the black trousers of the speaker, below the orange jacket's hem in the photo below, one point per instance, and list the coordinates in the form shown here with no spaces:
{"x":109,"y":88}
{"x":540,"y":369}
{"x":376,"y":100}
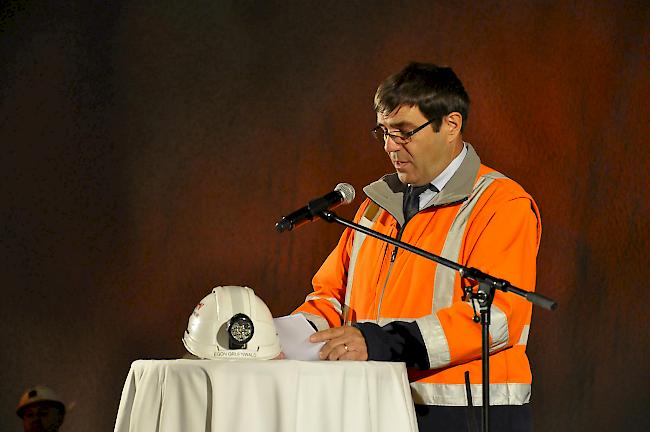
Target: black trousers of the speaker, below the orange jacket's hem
{"x":503,"y":418}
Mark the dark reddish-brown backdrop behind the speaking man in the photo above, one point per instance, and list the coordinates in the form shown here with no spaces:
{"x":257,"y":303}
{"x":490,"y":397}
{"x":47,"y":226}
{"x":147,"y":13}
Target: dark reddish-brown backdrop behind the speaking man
{"x":148,"y":148}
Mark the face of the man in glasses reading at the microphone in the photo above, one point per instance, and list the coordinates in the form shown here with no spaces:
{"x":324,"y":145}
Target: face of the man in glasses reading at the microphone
{"x":426,"y":155}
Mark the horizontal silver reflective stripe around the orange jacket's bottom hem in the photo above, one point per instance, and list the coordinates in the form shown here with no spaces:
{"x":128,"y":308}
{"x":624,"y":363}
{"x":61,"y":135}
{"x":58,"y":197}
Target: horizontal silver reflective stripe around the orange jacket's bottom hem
{"x":455,"y":394}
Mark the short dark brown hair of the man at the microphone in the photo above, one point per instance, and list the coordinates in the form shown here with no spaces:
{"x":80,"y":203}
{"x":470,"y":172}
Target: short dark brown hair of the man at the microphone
{"x":436,"y":90}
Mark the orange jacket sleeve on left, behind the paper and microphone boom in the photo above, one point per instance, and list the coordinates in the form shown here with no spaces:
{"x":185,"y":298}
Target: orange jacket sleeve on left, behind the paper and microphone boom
{"x":324,"y":306}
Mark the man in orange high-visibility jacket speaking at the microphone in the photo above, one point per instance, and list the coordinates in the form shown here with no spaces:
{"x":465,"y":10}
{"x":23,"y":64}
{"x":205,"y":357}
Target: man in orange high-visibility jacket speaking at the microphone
{"x":374,"y":301}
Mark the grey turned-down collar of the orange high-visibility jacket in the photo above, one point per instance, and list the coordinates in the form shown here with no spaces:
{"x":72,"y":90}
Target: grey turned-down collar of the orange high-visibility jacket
{"x":388,"y":191}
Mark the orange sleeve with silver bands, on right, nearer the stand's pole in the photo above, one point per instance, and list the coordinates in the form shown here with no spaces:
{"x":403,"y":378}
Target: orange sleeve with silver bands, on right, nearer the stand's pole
{"x":503,"y":243}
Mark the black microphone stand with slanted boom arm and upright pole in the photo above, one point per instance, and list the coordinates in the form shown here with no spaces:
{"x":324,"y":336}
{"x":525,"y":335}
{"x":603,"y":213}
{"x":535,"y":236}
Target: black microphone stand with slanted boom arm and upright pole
{"x":484,"y":294}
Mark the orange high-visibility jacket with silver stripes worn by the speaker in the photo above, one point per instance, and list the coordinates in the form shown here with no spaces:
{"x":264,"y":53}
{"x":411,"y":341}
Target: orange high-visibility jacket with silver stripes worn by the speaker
{"x":480,"y":219}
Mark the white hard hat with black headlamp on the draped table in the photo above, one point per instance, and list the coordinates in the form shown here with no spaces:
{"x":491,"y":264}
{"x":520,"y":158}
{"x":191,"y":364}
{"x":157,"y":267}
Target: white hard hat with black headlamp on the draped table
{"x":232,"y":323}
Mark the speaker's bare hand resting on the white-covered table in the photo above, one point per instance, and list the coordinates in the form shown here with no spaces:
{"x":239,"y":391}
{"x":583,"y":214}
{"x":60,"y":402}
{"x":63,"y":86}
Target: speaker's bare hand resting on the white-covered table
{"x":342,"y":343}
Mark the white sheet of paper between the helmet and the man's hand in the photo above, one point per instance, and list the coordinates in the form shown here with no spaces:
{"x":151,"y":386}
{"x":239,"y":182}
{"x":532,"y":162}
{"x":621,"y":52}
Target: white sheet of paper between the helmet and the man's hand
{"x":294,"y":332}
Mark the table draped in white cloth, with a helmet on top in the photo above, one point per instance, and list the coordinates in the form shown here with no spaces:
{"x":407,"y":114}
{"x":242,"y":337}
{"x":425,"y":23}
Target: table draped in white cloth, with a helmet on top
{"x":268,"y":396}
